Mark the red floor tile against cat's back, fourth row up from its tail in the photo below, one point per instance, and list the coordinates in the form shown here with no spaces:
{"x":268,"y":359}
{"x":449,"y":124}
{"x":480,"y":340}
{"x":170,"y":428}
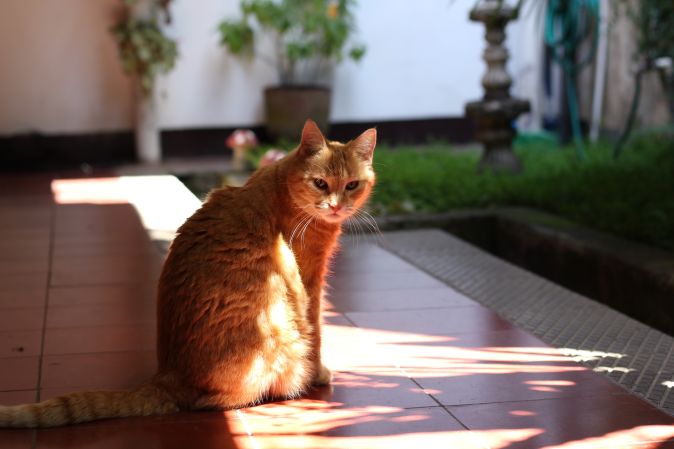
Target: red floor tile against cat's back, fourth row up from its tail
{"x":102,"y":294}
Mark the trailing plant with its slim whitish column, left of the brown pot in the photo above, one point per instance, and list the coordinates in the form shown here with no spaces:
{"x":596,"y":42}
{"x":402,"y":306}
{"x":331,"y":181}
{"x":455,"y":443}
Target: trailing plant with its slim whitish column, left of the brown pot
{"x":145,"y":52}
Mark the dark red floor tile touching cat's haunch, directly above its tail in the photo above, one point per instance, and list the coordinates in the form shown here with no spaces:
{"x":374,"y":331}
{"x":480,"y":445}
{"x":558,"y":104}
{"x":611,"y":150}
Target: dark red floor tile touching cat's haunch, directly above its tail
{"x":87,"y":371}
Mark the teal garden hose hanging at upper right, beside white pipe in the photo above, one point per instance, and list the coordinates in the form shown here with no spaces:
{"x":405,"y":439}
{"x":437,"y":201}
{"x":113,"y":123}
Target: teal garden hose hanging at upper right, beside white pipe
{"x":568,"y":23}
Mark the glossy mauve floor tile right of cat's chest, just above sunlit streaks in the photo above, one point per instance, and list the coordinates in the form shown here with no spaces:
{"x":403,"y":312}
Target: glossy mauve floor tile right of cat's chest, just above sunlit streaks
{"x":401,"y":299}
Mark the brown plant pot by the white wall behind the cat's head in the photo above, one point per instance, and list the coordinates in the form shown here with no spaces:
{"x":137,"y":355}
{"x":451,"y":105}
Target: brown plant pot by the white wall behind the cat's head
{"x":288,"y":107}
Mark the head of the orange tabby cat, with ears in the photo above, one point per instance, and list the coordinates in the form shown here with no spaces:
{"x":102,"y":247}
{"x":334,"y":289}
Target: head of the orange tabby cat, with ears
{"x":332,"y":180}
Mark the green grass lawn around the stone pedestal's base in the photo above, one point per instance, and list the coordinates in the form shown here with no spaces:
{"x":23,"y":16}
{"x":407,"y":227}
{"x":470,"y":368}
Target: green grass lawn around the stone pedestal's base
{"x":632,"y":196}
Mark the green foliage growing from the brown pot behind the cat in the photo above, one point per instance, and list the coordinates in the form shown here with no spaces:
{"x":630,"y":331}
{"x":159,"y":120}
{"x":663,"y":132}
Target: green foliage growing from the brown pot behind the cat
{"x":309,"y":36}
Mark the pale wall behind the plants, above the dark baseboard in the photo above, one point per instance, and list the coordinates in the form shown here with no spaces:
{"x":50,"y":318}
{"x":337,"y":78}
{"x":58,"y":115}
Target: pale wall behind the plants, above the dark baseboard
{"x":60,"y":71}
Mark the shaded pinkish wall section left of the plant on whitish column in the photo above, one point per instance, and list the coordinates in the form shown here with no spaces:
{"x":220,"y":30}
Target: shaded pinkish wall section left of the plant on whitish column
{"x":58,"y":68}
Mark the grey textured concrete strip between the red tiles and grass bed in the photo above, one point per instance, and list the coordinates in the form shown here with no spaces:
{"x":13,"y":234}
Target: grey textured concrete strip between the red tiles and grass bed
{"x":639,"y":358}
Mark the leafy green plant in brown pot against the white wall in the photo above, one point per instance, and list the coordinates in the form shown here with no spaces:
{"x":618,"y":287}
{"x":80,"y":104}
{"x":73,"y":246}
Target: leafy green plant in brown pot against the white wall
{"x":310,"y":37}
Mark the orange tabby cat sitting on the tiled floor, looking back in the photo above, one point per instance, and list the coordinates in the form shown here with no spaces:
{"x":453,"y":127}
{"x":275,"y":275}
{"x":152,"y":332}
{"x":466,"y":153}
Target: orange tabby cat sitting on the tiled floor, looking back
{"x":239,"y":300}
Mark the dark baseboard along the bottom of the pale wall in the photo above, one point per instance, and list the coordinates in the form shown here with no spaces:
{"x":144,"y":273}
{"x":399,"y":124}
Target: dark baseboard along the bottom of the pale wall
{"x":35,"y":151}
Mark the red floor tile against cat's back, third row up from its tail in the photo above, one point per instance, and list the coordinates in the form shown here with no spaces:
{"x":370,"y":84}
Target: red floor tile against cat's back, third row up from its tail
{"x":89,"y":315}
